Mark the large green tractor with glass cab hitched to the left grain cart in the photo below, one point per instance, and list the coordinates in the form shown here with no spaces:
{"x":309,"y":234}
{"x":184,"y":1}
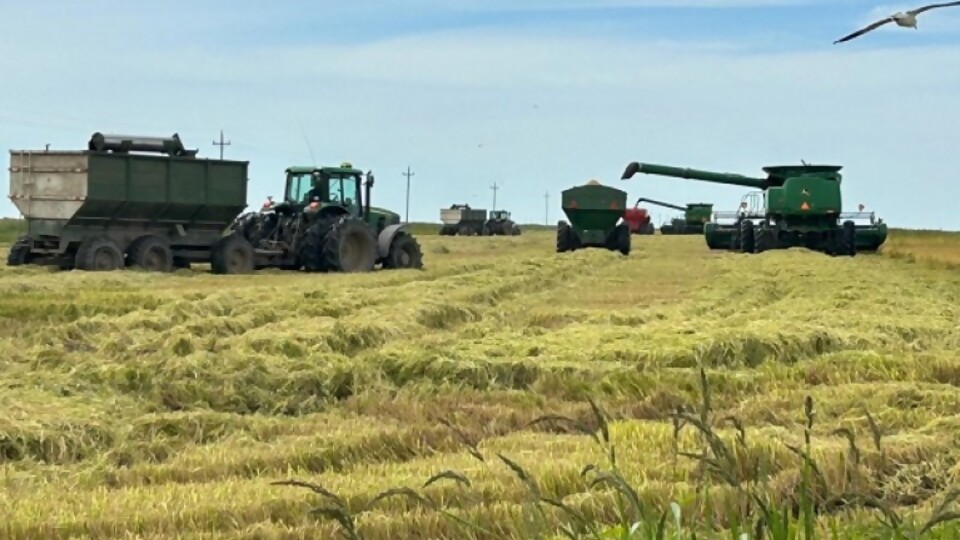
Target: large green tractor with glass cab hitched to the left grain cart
{"x":326,"y":224}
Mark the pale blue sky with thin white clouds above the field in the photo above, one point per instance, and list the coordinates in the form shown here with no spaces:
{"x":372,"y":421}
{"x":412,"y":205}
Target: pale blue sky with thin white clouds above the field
{"x":533,"y":96}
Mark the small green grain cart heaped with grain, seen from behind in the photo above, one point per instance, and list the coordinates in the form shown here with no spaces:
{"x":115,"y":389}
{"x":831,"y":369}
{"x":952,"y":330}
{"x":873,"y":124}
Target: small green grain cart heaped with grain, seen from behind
{"x":593,"y":210}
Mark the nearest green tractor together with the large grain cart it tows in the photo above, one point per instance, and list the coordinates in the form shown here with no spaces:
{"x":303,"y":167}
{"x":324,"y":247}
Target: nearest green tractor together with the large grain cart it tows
{"x":148,"y":202}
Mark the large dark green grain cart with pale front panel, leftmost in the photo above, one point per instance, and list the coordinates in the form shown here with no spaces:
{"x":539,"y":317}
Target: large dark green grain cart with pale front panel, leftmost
{"x":105,"y":207}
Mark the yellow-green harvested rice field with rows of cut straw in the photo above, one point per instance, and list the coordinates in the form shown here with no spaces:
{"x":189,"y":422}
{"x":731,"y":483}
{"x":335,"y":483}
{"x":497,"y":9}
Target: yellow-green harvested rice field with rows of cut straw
{"x":149,"y":406}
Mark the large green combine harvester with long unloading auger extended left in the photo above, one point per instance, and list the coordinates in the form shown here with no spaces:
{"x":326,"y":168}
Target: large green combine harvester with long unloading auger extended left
{"x":802,"y":208}
